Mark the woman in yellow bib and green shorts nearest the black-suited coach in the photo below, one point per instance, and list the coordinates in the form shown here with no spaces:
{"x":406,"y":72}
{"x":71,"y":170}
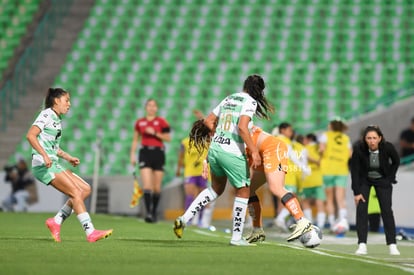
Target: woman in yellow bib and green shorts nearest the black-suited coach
{"x":336,"y":149}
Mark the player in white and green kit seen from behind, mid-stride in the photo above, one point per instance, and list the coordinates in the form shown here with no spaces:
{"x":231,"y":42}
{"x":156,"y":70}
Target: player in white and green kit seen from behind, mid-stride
{"x":227,"y":156}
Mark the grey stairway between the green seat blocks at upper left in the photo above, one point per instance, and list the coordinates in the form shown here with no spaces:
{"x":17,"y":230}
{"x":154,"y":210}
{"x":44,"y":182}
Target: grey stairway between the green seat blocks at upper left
{"x":44,"y":77}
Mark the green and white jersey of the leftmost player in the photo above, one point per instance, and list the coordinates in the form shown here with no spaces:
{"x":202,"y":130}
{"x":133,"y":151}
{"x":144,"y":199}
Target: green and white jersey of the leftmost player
{"x":50,"y":126}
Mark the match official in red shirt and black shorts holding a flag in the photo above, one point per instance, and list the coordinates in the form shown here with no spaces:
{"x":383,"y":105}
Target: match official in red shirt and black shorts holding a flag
{"x":153,"y":131}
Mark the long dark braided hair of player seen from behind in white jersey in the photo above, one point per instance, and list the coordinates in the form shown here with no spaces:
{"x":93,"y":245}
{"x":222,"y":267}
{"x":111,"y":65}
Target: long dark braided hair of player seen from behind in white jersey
{"x":254,"y":86}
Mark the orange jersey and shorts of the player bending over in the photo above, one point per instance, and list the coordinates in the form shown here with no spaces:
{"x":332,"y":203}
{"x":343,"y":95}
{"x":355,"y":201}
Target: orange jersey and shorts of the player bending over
{"x":272,"y":150}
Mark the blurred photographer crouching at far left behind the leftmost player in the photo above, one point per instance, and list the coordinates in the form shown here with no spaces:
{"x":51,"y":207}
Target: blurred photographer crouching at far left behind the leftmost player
{"x":23,"y":186}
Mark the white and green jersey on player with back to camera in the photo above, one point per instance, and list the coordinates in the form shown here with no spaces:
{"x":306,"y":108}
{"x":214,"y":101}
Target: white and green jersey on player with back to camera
{"x":227,"y":138}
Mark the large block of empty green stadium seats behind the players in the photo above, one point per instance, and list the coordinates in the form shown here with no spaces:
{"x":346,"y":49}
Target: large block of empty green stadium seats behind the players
{"x":318,"y":59}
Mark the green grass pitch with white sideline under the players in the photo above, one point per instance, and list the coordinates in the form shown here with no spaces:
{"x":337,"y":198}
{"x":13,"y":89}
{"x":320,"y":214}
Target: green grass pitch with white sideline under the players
{"x":139,"y":248}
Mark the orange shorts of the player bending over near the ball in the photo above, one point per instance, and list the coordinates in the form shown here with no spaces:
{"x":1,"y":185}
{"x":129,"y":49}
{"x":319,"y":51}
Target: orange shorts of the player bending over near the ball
{"x":274,"y":153}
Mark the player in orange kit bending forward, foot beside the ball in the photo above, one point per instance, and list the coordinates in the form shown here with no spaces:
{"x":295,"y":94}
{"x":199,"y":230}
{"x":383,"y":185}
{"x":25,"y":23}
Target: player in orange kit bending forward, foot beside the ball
{"x":275,"y":155}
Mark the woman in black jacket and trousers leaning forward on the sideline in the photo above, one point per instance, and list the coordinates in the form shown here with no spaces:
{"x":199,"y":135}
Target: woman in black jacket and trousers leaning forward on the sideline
{"x":374,"y":162}
